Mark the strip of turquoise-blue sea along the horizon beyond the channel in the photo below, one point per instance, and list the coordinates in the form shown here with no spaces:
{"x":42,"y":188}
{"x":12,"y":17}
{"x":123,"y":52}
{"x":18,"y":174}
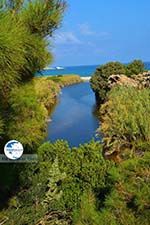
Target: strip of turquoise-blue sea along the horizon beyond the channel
{"x":83,"y":71}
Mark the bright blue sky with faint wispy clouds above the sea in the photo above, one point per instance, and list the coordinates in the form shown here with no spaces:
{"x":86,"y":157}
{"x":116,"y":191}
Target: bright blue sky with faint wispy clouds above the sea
{"x":98,"y":31}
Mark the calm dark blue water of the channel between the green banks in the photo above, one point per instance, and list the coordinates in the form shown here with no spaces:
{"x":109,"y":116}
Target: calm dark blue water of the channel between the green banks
{"x":74,"y":118}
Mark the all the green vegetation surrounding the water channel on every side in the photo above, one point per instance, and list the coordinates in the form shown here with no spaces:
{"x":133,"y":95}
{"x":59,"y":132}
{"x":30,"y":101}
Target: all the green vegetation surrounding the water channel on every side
{"x":68,"y":186}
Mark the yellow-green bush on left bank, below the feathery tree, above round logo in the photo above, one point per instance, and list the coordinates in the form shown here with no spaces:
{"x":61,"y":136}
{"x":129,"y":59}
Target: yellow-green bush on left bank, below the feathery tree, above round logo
{"x":27,"y":117}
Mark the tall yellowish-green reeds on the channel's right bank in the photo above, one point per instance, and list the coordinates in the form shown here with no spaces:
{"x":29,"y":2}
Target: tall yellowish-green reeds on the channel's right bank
{"x":125,"y":120}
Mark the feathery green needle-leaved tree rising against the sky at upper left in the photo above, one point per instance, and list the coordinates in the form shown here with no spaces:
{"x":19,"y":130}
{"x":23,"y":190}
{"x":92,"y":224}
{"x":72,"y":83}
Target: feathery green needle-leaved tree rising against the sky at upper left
{"x":24,"y":29}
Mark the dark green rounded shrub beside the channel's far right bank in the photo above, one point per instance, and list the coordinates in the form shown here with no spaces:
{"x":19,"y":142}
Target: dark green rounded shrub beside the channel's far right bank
{"x":99,"y":81}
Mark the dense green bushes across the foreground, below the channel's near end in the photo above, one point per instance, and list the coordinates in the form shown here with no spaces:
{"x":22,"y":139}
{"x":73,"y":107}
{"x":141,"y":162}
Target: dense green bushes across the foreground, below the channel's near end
{"x":78,"y":186}
